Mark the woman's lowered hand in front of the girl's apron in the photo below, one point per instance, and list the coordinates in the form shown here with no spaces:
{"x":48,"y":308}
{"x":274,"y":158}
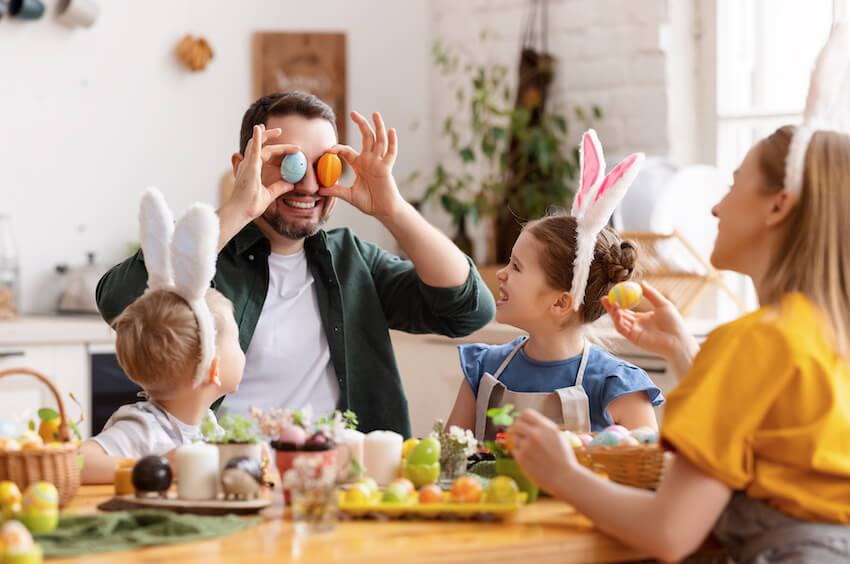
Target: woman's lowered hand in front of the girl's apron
{"x":542,"y":450}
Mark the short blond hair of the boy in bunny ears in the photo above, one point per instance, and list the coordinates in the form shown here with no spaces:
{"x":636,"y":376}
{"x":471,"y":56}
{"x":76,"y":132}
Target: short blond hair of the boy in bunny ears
{"x":157,"y":340}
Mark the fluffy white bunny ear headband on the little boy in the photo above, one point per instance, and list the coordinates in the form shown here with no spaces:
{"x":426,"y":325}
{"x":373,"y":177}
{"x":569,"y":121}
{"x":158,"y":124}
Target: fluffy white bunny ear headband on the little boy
{"x":182,"y":259}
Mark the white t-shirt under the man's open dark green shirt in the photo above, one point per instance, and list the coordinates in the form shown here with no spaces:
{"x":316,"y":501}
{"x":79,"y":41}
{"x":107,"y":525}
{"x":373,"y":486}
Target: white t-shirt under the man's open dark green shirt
{"x":288,"y":363}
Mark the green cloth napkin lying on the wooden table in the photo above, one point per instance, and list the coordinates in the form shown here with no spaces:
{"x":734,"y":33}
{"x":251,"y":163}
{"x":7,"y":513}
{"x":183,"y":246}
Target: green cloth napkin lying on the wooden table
{"x":125,"y":530}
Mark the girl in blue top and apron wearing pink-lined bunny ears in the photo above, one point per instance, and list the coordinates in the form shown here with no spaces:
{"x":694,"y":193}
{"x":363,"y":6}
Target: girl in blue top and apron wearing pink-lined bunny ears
{"x":557,"y":264}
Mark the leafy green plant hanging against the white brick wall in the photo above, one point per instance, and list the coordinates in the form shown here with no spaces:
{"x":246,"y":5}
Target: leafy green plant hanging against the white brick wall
{"x":515,"y":160}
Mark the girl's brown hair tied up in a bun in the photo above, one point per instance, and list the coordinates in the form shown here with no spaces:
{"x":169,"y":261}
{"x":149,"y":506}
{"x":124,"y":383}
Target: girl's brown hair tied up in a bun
{"x":613,"y":260}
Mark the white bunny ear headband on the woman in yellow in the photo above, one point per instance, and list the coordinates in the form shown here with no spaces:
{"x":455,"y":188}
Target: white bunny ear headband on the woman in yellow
{"x":827,"y":105}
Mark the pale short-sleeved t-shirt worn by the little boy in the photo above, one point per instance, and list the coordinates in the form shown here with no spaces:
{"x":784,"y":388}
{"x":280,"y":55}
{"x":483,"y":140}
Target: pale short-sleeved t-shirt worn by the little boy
{"x":144,"y":428}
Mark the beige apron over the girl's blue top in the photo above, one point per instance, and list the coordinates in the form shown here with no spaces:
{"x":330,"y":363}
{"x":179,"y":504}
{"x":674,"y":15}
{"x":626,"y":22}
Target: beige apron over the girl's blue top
{"x":568,"y":406}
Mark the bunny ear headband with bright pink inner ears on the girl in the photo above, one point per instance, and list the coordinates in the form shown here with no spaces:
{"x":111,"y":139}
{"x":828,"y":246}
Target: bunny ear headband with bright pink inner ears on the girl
{"x":595,"y":202}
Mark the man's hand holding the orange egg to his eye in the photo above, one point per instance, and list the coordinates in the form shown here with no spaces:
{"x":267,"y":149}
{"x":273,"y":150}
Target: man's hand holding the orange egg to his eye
{"x":374,"y":191}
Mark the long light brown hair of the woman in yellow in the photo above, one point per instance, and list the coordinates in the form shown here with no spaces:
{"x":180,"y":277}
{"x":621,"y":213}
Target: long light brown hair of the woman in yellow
{"x":813,"y":256}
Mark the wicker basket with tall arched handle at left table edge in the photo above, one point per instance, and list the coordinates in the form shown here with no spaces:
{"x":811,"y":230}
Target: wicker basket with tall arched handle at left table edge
{"x":55,"y":465}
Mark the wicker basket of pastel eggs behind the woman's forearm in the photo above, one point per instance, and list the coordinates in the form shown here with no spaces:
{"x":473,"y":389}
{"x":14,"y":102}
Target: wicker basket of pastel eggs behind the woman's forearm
{"x":639,"y":466}
